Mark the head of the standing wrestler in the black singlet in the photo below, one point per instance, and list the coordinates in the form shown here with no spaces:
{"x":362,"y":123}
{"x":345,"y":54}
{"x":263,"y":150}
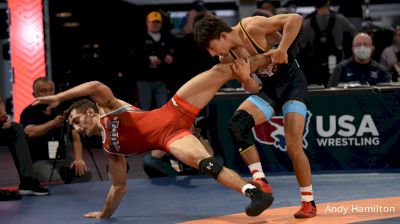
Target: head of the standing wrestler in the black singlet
{"x":212,"y":34}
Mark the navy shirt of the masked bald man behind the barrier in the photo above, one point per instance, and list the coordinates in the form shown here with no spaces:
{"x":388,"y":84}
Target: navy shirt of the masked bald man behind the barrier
{"x":349,"y":71}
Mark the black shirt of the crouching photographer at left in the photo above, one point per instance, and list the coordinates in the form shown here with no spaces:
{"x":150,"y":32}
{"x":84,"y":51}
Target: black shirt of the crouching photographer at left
{"x":39,"y":146}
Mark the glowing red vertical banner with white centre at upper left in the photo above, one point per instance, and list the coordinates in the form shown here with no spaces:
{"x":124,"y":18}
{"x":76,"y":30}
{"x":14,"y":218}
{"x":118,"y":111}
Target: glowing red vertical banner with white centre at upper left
{"x":27,"y":49}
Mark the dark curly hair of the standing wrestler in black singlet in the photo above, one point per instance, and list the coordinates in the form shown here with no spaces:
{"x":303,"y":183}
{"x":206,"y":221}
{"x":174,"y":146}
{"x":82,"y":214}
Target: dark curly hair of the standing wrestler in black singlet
{"x":207,"y":29}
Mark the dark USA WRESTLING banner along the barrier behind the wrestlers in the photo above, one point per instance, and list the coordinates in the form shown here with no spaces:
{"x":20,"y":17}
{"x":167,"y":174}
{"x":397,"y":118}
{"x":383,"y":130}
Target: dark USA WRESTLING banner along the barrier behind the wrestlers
{"x":343,"y":131}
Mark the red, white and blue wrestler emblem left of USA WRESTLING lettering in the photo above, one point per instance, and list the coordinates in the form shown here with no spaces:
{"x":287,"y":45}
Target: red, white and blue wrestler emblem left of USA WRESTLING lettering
{"x":272,"y":132}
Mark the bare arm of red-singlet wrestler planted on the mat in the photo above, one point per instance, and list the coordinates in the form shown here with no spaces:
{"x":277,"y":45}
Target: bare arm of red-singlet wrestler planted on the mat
{"x":117,"y":174}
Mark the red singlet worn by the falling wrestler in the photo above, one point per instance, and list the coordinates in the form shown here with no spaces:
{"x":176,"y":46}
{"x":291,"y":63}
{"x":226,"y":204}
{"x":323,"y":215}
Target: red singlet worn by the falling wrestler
{"x":130,"y":130}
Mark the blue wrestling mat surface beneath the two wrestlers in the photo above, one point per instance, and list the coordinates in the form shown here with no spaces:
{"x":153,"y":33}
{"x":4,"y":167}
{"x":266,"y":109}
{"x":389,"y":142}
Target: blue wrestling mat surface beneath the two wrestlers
{"x":179,"y":199}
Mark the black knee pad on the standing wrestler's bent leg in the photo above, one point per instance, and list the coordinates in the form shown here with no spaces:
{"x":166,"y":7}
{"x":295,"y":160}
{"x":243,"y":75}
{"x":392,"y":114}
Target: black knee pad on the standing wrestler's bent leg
{"x":240,"y":130}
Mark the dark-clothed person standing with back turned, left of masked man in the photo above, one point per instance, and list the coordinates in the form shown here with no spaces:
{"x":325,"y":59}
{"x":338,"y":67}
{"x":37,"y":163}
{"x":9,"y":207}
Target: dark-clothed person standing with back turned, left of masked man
{"x":323,"y":36}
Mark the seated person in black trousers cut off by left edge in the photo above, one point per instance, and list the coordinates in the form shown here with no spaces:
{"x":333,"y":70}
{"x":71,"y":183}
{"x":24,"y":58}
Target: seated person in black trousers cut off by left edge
{"x":12,"y":134}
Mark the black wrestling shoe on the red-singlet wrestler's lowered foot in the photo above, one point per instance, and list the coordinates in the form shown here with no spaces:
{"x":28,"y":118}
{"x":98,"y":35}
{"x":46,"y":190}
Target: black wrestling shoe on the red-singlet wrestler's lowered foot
{"x":259,"y":201}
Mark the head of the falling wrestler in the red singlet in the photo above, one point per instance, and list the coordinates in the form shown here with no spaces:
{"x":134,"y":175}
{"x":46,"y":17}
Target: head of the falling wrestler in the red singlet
{"x":83,"y":115}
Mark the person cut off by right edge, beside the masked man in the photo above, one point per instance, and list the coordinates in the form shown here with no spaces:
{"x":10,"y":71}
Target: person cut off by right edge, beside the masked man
{"x":390,"y":57}
